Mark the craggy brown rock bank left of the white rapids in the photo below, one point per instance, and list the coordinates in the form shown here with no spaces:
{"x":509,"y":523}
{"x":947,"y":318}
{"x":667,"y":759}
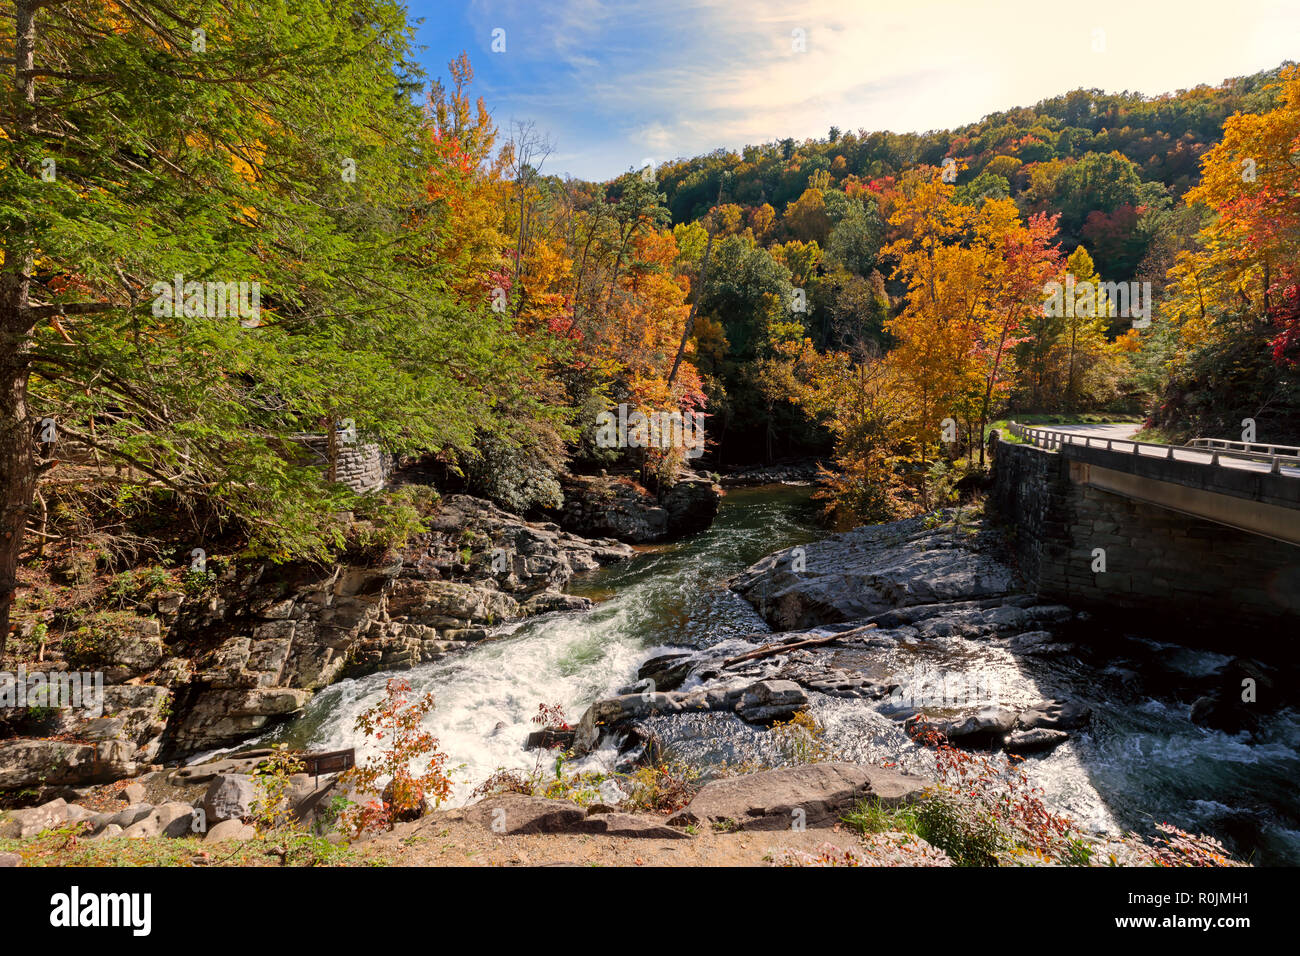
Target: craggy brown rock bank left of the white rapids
{"x":188,"y":673}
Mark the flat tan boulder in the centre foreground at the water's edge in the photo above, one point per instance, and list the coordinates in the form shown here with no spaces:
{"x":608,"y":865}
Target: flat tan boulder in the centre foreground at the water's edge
{"x":769,"y":801}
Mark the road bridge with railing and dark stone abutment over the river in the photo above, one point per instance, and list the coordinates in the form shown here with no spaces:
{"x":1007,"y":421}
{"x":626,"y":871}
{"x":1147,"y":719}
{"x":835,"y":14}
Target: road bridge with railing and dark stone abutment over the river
{"x":1207,"y":531}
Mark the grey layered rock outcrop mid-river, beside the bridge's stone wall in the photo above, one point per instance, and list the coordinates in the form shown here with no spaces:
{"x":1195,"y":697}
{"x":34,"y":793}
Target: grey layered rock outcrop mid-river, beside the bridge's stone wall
{"x":839,"y":604}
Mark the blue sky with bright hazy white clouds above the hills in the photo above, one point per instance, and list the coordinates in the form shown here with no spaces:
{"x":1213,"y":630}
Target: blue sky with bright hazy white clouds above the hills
{"x":617,"y":84}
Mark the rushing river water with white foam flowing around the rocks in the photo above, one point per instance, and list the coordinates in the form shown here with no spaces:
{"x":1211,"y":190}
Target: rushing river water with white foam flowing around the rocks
{"x":1141,"y":762}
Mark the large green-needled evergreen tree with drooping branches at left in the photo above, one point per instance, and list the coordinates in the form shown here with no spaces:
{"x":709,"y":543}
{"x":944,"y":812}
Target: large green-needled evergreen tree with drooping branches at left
{"x":281,"y":148}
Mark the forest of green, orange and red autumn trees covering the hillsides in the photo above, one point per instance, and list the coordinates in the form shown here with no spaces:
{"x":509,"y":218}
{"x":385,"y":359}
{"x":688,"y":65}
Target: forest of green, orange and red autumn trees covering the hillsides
{"x":872,"y":299}
